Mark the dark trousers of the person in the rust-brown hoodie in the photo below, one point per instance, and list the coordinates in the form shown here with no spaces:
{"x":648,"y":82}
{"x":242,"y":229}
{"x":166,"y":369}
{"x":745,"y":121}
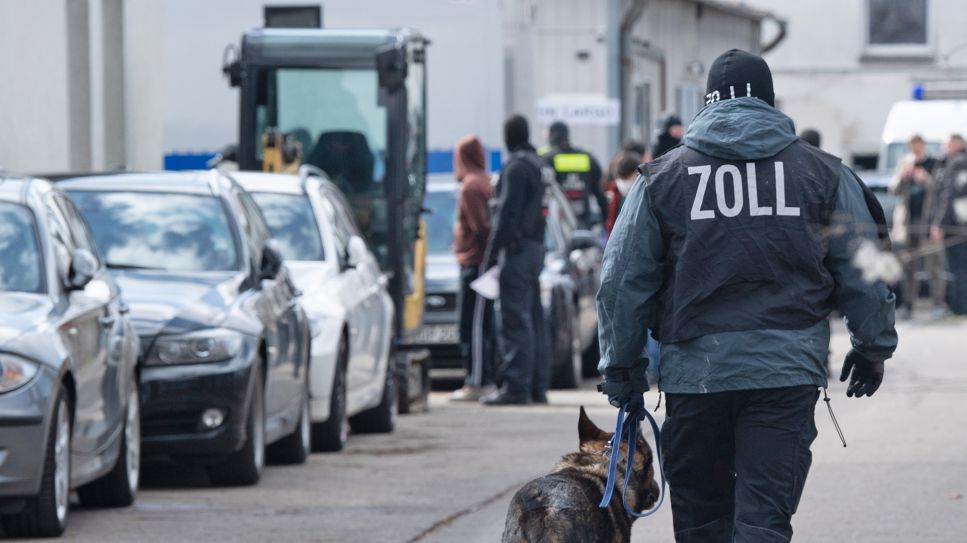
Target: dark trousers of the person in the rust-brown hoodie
{"x":477,"y":342}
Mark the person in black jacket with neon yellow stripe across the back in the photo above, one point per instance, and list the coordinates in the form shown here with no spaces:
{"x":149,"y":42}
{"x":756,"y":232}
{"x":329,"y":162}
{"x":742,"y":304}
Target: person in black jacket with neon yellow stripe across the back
{"x":577,"y":172}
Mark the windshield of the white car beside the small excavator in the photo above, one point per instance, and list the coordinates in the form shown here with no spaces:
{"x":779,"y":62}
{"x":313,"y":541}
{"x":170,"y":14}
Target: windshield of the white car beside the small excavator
{"x":292,"y":223}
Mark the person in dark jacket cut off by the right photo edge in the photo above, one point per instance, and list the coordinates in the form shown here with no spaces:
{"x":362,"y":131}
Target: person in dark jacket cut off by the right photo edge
{"x":948,"y":222}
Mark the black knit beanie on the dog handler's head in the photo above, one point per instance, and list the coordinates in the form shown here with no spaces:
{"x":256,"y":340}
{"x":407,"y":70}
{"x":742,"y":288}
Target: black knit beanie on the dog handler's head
{"x":737,"y":73}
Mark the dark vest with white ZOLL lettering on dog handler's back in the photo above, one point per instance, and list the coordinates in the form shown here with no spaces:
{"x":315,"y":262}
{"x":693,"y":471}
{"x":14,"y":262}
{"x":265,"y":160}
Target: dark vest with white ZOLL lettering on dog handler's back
{"x":746,"y":240}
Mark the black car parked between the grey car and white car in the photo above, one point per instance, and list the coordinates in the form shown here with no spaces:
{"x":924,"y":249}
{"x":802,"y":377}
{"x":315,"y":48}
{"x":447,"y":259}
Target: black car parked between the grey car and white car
{"x":225,"y":344}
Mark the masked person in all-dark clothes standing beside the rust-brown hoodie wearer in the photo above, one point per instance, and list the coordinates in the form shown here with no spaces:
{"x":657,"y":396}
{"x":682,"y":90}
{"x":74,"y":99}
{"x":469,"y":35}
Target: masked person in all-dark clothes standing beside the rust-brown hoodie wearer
{"x":517,"y":246}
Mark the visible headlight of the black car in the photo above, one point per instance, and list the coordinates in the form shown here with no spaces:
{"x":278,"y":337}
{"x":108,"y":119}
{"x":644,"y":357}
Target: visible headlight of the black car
{"x":212,"y":345}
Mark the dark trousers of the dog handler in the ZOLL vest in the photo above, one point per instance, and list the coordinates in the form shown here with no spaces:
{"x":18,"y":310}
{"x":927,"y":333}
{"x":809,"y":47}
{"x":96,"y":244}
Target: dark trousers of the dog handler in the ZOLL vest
{"x":736,"y":462}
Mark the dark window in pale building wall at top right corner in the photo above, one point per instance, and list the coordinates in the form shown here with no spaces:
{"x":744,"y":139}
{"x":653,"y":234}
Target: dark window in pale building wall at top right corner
{"x":897,"y":23}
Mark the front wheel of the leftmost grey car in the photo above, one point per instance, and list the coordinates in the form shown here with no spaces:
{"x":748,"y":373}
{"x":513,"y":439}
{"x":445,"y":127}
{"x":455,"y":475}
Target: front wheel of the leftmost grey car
{"x":45,"y":515}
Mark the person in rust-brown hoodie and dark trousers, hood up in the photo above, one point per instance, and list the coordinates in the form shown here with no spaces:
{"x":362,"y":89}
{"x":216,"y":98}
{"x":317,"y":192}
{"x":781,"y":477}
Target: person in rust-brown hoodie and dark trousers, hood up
{"x":470,"y":237}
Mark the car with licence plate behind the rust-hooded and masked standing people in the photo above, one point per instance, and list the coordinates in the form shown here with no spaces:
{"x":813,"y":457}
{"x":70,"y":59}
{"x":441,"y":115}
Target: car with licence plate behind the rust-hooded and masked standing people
{"x":569,"y":283}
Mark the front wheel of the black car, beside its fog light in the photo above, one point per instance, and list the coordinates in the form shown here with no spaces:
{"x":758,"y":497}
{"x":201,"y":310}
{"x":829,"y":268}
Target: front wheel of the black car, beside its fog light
{"x":244,"y":467}
